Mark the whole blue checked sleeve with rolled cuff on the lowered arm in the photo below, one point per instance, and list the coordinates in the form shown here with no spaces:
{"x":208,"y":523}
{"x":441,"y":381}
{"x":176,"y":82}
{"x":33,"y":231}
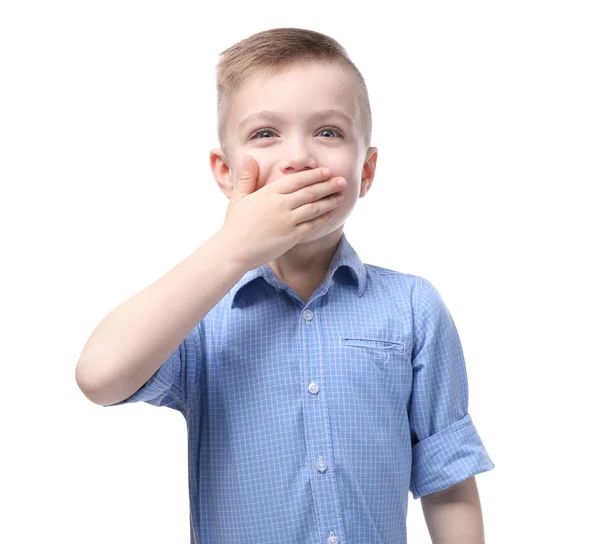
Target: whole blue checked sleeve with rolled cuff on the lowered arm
{"x":446,"y":448}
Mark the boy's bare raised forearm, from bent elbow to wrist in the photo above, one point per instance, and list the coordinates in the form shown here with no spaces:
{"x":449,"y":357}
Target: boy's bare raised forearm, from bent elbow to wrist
{"x":133,"y":341}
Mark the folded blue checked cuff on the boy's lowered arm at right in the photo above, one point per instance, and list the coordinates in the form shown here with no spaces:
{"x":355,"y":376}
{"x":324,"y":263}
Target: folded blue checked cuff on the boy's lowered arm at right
{"x":447,"y":458}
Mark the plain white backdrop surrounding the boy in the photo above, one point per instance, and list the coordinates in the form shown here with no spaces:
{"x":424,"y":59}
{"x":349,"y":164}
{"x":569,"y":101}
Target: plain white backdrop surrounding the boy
{"x":486,"y":116}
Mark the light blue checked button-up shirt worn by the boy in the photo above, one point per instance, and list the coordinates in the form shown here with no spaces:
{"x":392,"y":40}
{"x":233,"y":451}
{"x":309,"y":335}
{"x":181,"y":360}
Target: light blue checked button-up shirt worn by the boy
{"x":311,"y":422}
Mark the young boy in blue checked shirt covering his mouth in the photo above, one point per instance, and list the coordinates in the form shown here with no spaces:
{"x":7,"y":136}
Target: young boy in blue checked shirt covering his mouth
{"x":317,"y":390}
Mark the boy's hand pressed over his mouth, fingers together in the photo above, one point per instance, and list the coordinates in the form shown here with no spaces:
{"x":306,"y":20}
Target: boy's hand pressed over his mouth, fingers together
{"x":264,"y":224}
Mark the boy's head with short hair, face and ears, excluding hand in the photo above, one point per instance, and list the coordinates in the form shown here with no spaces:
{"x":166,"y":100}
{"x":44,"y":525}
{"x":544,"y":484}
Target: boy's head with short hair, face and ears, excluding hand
{"x":293,"y":73}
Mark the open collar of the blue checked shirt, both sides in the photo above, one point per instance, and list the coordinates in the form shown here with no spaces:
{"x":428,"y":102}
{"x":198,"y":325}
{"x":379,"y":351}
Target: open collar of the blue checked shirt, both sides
{"x":344,"y":256}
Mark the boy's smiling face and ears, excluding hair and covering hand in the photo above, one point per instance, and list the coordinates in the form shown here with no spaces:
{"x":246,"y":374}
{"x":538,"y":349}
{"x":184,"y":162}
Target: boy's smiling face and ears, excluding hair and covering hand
{"x":297,"y":140}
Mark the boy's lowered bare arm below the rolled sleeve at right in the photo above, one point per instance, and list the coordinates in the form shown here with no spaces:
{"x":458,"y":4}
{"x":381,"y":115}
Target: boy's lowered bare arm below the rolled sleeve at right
{"x":453,"y":515}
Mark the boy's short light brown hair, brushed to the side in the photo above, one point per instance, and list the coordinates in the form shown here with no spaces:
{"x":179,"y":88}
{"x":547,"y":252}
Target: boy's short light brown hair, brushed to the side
{"x":271,"y":51}
